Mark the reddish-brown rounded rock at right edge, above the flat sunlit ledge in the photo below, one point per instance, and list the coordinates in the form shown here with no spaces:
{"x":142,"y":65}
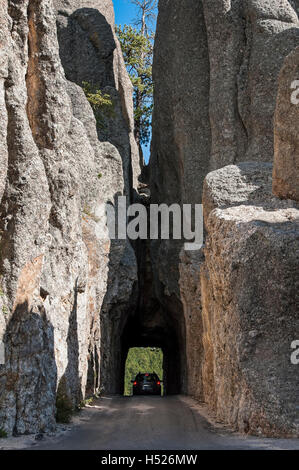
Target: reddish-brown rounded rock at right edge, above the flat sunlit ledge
{"x":286,"y":142}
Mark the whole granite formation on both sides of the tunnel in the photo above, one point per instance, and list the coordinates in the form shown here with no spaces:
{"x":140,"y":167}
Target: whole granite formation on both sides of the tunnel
{"x":72,"y":301}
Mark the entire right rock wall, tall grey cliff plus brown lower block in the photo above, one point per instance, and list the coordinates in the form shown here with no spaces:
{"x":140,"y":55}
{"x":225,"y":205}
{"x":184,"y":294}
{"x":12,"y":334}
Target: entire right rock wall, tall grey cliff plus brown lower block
{"x":216,"y":70}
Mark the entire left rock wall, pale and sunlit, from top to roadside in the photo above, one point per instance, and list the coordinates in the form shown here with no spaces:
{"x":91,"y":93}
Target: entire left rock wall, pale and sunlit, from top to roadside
{"x":59,"y":277}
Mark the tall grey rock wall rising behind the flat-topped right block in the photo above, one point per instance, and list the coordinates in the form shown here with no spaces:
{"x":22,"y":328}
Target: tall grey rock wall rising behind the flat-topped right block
{"x":216,"y":68}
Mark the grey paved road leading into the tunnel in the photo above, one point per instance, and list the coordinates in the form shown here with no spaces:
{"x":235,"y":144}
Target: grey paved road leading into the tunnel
{"x":169,"y":423}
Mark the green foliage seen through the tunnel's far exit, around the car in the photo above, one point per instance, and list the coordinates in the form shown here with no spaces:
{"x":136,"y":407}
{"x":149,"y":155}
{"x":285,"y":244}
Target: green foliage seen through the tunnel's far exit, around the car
{"x":142,"y":360}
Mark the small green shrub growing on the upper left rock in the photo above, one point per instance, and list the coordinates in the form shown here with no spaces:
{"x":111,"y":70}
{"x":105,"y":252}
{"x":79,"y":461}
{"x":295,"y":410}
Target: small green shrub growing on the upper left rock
{"x":101,"y":103}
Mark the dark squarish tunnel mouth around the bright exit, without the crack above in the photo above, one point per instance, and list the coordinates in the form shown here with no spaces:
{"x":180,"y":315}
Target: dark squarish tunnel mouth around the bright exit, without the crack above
{"x":144,"y":328}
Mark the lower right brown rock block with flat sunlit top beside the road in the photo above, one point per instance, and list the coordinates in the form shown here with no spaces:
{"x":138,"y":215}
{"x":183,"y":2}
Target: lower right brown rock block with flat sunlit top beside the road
{"x":239,"y":304}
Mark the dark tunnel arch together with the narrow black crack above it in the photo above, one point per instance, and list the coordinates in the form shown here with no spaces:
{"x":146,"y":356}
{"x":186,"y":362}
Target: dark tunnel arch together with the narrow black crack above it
{"x":152,"y":319}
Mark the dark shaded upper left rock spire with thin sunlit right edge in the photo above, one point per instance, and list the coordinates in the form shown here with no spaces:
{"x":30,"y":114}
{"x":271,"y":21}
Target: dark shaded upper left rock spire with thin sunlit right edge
{"x":90,"y":52}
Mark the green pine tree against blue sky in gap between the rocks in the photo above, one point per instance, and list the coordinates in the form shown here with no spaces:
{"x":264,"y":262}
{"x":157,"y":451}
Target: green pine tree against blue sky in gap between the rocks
{"x":137,"y":48}
